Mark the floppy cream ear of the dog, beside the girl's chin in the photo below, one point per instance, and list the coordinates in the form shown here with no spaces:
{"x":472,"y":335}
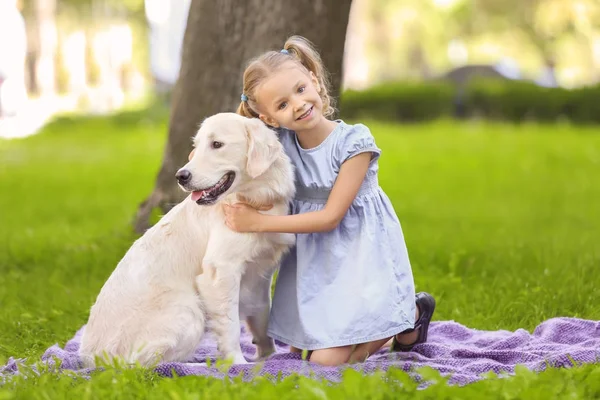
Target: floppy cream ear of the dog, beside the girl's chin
{"x":263,"y":147}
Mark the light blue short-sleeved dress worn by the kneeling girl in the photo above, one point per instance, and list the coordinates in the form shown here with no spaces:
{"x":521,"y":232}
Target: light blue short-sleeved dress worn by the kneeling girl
{"x":353,"y":284}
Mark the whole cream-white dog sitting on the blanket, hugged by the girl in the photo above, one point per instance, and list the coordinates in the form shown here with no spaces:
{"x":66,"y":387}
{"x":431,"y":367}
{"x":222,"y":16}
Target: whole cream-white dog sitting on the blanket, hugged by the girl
{"x":189,"y":271}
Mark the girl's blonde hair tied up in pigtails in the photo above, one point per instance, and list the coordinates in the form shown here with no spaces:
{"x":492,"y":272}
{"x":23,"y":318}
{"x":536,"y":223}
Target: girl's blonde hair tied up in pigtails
{"x":296,"y":49}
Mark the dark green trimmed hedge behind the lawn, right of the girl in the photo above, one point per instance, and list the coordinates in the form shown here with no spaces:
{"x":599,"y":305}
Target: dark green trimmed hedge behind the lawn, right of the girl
{"x":514,"y":101}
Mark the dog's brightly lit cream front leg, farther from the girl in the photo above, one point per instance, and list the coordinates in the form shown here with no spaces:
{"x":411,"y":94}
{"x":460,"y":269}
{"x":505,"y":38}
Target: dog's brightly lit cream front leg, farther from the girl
{"x":220,"y":294}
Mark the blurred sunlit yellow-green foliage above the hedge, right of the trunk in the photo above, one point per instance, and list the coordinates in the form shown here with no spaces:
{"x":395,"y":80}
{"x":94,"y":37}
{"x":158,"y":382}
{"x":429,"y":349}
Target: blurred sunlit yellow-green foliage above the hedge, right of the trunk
{"x":418,"y":39}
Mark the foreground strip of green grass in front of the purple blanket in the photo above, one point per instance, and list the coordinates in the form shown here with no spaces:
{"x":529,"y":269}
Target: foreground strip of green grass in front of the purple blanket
{"x":576,"y":383}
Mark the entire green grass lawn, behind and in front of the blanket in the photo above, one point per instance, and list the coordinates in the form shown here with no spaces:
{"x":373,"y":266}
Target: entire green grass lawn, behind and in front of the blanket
{"x":502,"y":225}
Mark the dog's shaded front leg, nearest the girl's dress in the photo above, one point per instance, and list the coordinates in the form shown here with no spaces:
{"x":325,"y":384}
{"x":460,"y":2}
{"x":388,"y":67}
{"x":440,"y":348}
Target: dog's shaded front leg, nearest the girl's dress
{"x":259,"y":321}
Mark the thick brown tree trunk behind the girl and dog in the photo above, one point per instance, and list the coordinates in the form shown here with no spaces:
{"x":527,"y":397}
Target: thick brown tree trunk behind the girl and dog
{"x":220,"y":37}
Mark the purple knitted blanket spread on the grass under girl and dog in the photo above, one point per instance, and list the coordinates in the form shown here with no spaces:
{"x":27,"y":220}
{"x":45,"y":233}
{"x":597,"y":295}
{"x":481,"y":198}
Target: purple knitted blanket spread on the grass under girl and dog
{"x":452,"y":349}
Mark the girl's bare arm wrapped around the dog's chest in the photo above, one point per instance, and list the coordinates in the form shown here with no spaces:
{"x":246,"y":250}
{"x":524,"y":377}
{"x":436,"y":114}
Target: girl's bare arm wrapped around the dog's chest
{"x":243,"y":218}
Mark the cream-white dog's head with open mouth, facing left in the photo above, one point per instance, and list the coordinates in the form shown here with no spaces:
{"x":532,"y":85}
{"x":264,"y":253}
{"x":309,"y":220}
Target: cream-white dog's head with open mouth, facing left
{"x":229,"y":150}
